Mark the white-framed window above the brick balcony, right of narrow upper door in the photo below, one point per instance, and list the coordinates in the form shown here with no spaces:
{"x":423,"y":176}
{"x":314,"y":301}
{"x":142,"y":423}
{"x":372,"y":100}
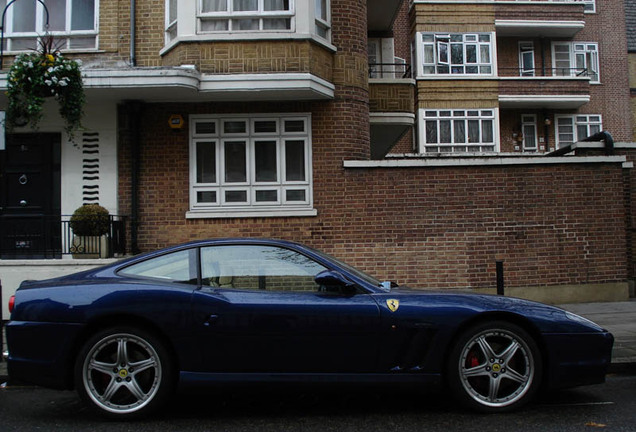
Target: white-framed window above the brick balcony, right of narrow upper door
{"x":585,"y":51}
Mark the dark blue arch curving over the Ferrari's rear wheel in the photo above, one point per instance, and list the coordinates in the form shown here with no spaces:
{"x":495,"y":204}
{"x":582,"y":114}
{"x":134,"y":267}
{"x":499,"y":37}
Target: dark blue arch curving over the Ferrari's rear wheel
{"x":112,"y":320}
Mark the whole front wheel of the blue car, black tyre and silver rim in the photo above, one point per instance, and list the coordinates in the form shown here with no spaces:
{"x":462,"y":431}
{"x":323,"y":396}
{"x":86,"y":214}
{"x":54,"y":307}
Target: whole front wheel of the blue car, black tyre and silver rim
{"x":494,"y":367}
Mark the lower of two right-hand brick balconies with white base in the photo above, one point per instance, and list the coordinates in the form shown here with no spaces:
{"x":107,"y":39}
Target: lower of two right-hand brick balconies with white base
{"x":565,"y":89}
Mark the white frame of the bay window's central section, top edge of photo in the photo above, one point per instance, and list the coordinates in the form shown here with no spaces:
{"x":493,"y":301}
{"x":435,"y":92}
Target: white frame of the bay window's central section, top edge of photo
{"x":229,"y":16}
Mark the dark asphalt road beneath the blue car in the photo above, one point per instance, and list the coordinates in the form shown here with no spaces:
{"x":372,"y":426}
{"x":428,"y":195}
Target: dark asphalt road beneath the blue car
{"x":608,"y":407}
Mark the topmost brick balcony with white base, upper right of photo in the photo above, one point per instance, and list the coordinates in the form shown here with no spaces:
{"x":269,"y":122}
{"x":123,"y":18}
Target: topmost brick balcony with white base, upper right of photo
{"x":559,"y":20}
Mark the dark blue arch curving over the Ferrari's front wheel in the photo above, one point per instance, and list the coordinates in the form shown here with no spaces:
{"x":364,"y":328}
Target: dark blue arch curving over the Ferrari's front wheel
{"x":509,"y":317}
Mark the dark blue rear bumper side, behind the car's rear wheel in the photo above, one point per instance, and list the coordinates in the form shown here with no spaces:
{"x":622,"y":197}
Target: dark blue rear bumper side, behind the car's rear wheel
{"x":41,"y":353}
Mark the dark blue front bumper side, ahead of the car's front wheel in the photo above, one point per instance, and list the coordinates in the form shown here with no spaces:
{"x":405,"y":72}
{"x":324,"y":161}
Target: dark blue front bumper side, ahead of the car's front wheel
{"x":578,"y":359}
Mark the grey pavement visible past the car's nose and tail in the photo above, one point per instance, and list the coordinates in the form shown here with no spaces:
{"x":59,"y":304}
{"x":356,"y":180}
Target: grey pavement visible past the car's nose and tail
{"x":617,"y":317}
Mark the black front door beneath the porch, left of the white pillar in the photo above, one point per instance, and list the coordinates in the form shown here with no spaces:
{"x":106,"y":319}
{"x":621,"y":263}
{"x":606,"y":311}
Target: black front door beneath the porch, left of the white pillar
{"x":30,"y":200}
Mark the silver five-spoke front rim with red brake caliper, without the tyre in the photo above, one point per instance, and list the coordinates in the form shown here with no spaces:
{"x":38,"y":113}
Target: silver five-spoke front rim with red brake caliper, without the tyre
{"x":496,"y":368}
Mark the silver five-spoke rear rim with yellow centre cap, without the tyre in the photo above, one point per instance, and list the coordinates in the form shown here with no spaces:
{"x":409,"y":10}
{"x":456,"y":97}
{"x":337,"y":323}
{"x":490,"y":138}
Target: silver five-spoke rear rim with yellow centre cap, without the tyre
{"x":122,"y":373}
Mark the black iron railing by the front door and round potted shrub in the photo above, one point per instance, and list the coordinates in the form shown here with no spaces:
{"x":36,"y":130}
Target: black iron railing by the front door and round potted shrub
{"x":50,"y":237}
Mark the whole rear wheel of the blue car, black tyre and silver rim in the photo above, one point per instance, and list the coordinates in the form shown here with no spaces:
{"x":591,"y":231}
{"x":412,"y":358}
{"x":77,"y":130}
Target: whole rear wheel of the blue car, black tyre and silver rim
{"x":124,"y":372}
